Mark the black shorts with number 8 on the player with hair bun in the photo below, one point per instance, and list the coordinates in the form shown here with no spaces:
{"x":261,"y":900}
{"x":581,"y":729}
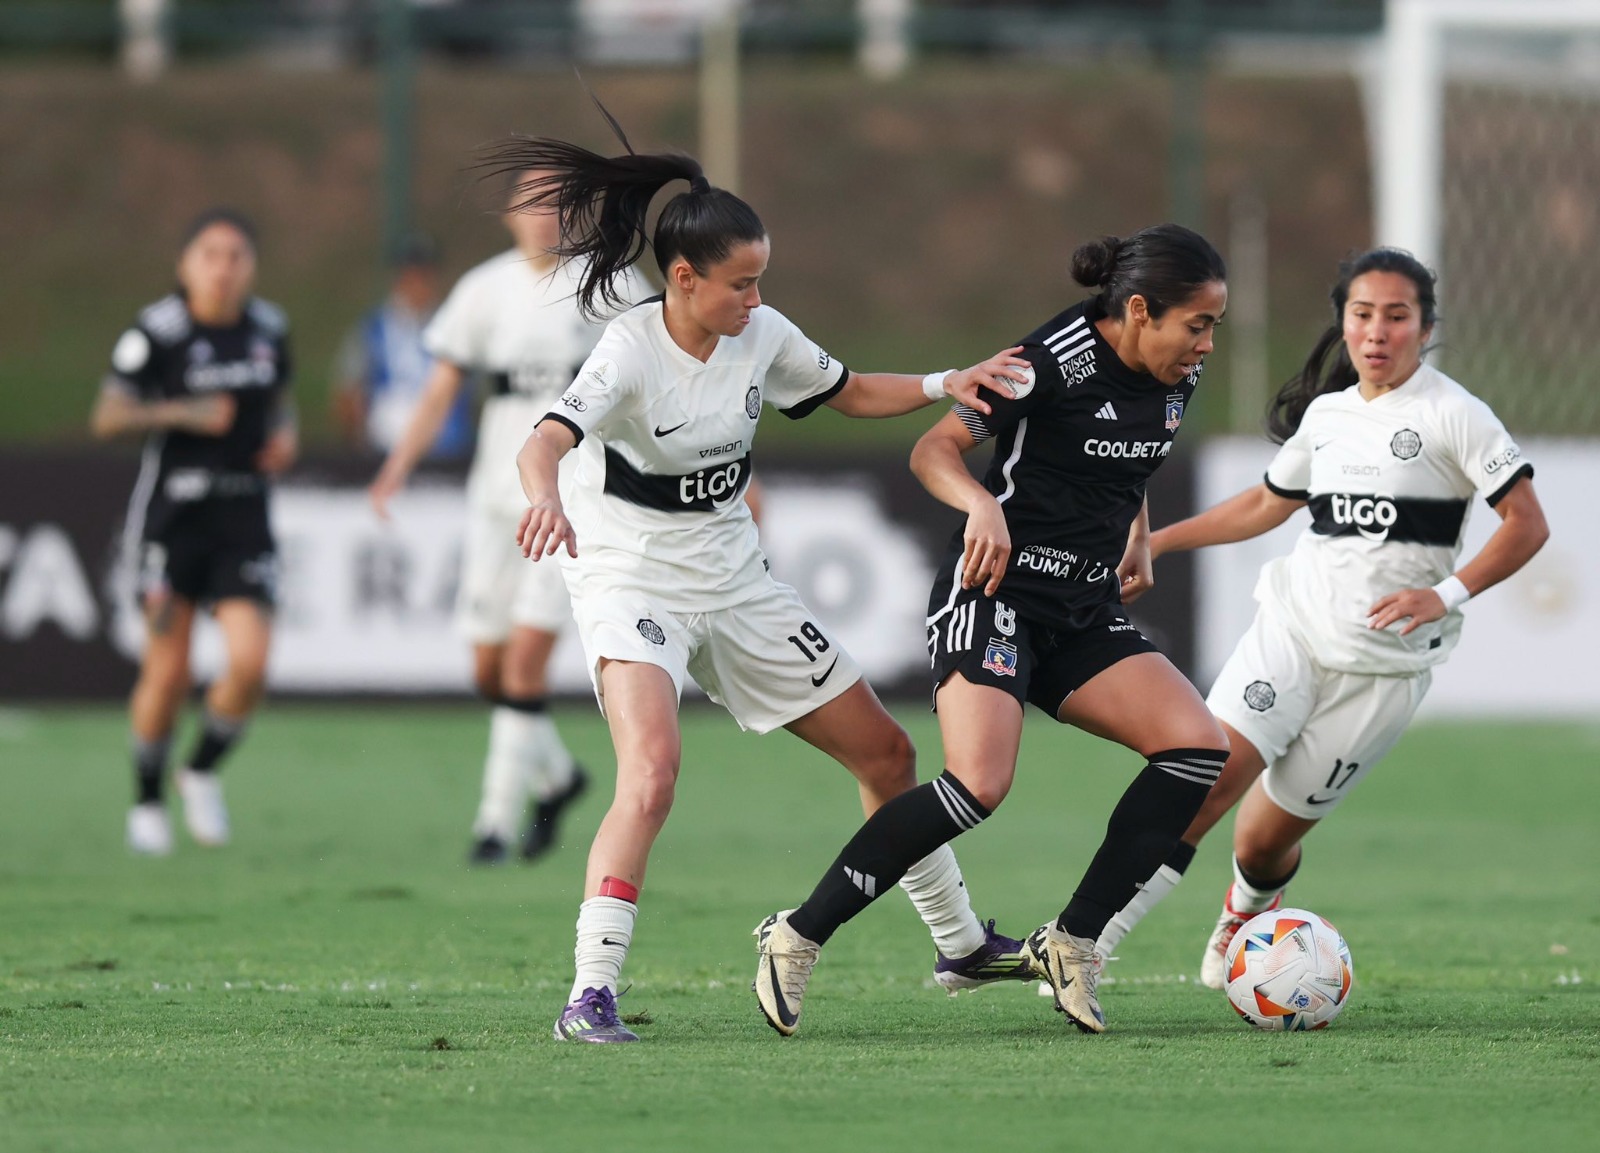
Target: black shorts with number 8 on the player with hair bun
{"x":990,"y":644}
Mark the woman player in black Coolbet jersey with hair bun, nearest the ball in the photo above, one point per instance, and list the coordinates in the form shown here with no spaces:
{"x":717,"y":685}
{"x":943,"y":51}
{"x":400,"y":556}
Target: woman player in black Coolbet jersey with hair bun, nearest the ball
{"x":1028,"y":608}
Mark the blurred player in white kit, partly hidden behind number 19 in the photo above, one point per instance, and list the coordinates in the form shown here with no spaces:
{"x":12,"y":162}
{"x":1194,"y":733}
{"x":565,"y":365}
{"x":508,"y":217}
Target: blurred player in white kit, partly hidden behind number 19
{"x":516,"y":321}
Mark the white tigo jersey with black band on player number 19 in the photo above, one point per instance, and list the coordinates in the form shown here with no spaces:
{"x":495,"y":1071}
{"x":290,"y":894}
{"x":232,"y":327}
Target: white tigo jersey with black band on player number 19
{"x":665,"y":455}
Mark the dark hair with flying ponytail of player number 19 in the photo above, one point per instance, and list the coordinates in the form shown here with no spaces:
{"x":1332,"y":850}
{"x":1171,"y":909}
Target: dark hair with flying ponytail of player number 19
{"x":604,"y":202}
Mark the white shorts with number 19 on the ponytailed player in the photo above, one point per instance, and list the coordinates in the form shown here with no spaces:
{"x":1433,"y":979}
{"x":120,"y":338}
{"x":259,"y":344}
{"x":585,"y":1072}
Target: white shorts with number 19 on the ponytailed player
{"x":766,"y":661}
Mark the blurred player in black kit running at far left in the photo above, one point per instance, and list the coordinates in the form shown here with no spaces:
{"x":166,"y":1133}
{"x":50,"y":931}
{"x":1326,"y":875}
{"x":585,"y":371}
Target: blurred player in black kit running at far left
{"x":204,"y":378}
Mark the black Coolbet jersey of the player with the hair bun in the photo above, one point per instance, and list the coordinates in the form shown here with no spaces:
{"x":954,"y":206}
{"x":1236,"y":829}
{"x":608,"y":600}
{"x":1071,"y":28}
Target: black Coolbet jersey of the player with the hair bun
{"x":1073,"y":455}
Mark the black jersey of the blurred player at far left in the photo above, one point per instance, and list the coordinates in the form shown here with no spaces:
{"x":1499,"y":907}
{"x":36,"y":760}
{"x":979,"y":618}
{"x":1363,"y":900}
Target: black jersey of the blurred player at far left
{"x":169,"y":356}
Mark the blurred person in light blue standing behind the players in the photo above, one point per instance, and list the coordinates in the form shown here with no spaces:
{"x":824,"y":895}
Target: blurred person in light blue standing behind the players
{"x":385,"y":364}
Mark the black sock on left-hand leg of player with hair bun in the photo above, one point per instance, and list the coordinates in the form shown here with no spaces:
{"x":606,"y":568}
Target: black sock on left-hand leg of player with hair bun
{"x":895,"y":839}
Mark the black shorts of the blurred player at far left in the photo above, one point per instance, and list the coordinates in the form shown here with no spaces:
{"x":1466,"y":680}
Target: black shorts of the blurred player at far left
{"x":212,"y":551}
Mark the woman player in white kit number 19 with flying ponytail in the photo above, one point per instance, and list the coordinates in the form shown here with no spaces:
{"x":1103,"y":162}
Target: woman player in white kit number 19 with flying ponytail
{"x":662,"y":554}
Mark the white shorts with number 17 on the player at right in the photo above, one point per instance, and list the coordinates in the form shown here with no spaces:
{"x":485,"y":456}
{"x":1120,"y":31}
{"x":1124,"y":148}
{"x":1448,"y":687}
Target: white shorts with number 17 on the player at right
{"x":1319,"y":732}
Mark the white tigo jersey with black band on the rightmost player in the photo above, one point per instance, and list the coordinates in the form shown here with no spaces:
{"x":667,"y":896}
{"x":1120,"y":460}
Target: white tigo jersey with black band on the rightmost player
{"x":1390,"y":484}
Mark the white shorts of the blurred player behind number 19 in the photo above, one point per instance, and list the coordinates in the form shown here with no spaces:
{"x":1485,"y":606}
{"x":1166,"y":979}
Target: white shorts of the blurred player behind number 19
{"x":500,"y":588}
